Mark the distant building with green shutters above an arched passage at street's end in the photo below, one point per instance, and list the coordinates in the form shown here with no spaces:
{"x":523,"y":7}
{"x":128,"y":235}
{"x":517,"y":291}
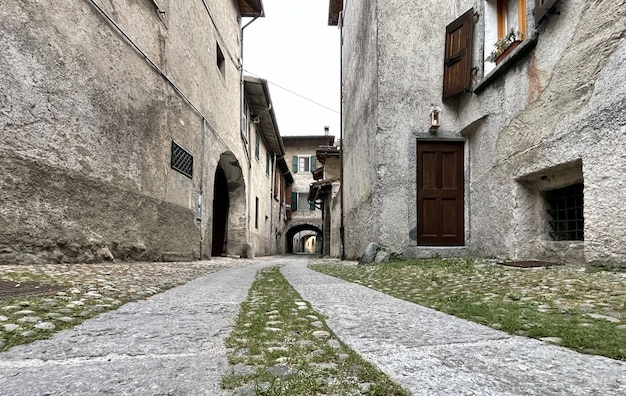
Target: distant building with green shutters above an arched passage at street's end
{"x":304,"y":232}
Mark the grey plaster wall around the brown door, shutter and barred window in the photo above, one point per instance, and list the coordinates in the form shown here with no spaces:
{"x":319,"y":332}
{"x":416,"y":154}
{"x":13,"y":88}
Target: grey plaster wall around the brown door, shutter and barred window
{"x":555,"y":112}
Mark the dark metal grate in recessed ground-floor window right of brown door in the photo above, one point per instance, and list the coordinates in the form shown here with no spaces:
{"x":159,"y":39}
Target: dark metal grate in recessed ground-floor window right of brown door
{"x":566,"y":210}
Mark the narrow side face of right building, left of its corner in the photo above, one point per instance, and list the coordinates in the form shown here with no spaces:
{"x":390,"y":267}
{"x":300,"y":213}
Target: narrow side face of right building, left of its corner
{"x":360,"y":126}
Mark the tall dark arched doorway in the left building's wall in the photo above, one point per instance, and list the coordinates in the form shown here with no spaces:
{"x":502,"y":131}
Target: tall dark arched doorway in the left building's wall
{"x":229,"y":219}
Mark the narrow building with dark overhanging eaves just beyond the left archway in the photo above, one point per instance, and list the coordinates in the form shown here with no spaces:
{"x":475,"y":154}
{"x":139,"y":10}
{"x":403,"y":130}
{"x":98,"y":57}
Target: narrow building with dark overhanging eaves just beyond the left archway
{"x":270,"y":176}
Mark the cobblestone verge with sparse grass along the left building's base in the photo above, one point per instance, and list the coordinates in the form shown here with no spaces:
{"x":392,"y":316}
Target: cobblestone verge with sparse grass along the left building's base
{"x":84,"y":291}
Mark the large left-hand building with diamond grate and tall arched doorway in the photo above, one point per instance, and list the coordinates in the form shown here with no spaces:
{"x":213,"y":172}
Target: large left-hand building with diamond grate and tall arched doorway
{"x":121,"y":130}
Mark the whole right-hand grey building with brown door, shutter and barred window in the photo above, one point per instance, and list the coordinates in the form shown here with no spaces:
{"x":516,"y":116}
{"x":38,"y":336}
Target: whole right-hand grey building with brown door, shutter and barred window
{"x":447,"y":152}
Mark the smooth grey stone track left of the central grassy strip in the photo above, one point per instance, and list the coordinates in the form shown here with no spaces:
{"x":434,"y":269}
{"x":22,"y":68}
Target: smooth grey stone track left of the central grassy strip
{"x":171,"y":343}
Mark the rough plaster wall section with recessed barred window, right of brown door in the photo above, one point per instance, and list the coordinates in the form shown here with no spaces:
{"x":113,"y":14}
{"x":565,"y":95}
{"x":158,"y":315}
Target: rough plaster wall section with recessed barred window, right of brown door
{"x":561,"y":105}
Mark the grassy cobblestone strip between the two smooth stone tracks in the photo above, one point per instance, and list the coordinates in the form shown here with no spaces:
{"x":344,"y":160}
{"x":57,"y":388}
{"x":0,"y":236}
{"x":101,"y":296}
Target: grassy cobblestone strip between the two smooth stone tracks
{"x":280,"y":346}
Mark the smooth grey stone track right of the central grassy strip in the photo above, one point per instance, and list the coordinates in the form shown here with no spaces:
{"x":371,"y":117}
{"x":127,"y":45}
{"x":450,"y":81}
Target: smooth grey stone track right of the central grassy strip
{"x":431,"y":353}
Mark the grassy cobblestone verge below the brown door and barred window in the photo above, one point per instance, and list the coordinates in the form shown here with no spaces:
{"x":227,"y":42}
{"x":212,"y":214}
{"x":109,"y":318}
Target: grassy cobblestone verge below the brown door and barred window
{"x":570,"y":306}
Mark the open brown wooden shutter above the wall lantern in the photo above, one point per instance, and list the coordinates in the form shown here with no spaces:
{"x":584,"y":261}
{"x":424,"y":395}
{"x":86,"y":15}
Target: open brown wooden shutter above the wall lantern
{"x":457,"y":67}
